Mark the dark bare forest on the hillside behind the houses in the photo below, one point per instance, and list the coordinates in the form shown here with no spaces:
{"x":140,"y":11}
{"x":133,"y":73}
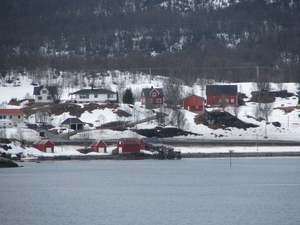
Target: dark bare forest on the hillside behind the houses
{"x":237,"y":41}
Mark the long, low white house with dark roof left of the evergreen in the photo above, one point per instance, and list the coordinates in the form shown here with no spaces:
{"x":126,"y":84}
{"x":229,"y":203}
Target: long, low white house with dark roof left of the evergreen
{"x":95,"y":96}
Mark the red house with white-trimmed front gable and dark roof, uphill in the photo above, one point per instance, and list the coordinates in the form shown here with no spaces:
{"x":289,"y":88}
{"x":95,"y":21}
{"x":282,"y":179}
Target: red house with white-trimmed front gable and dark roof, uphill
{"x":152,"y":97}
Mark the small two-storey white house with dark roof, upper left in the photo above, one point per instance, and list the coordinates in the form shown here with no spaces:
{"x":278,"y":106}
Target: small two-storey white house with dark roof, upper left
{"x":45,"y":94}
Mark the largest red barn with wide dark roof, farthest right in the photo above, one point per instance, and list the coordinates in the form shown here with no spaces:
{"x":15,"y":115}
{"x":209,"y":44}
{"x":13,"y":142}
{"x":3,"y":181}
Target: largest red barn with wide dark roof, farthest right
{"x":220,"y":95}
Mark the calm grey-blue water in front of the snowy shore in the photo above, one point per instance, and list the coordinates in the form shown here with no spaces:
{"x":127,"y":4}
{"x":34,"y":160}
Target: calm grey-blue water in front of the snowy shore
{"x":187,"y":191}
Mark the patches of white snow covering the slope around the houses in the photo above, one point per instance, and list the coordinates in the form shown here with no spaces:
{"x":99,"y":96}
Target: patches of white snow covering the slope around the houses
{"x":289,"y":130}
